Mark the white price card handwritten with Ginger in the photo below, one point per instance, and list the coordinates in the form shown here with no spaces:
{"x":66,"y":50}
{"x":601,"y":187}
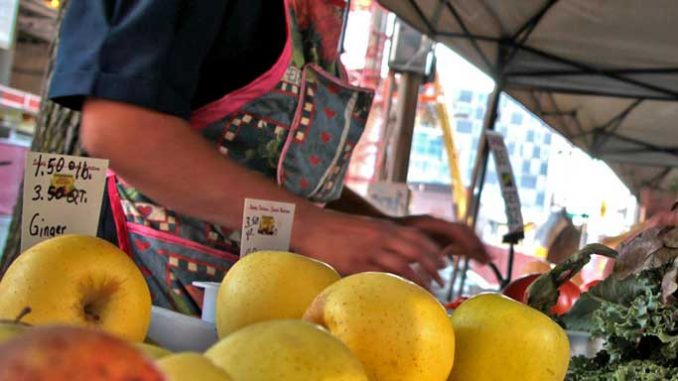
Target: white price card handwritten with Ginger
{"x":62,"y":195}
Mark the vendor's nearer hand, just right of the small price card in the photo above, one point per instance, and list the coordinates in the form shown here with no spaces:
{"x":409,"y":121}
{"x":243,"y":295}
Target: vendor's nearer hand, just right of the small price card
{"x":353,"y":244}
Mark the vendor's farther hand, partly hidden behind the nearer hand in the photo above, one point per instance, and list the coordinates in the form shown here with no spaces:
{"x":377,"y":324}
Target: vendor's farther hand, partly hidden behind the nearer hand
{"x":455,"y":238}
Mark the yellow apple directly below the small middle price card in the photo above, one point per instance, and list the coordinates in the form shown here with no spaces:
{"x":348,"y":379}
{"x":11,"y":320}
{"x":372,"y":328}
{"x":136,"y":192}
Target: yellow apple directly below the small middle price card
{"x":269,"y":285}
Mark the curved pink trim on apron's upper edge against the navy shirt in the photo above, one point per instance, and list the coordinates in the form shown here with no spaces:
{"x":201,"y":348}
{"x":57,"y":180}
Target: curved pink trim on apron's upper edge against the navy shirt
{"x":235,"y":100}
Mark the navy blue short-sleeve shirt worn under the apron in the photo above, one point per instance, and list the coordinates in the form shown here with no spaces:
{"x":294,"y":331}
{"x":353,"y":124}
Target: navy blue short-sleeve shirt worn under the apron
{"x":171,"y":56}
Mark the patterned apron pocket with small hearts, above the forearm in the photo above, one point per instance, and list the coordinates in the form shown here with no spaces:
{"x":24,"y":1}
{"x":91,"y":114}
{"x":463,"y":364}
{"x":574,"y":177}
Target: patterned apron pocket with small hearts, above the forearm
{"x":328,"y":123}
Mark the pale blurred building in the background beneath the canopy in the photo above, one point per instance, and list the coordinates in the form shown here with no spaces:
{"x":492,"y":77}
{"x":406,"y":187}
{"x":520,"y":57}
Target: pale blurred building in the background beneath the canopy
{"x":551,"y":174}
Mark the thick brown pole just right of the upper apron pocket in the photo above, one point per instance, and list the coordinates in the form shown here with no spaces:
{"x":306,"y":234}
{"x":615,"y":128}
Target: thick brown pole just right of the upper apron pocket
{"x":406,"y":111}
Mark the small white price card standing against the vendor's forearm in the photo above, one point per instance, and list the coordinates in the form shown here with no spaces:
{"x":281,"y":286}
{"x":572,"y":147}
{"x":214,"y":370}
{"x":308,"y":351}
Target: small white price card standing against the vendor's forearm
{"x":266,"y":225}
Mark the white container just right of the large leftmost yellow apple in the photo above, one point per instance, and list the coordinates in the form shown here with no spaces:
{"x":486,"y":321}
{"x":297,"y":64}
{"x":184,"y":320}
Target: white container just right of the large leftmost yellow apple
{"x":180,"y":333}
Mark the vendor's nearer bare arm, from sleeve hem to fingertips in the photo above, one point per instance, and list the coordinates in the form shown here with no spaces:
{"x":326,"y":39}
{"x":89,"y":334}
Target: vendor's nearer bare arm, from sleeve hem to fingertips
{"x":162,"y":157}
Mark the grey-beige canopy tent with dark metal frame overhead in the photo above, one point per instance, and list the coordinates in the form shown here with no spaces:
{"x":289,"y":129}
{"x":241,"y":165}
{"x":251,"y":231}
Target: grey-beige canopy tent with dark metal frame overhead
{"x":602,"y":73}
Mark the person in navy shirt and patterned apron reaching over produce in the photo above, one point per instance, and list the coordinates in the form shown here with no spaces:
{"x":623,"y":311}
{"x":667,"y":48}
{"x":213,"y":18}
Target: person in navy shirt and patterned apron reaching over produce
{"x":201,"y":104}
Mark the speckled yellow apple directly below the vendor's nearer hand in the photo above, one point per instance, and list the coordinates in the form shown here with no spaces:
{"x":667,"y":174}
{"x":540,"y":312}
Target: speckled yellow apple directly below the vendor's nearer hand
{"x":397,"y":329}
